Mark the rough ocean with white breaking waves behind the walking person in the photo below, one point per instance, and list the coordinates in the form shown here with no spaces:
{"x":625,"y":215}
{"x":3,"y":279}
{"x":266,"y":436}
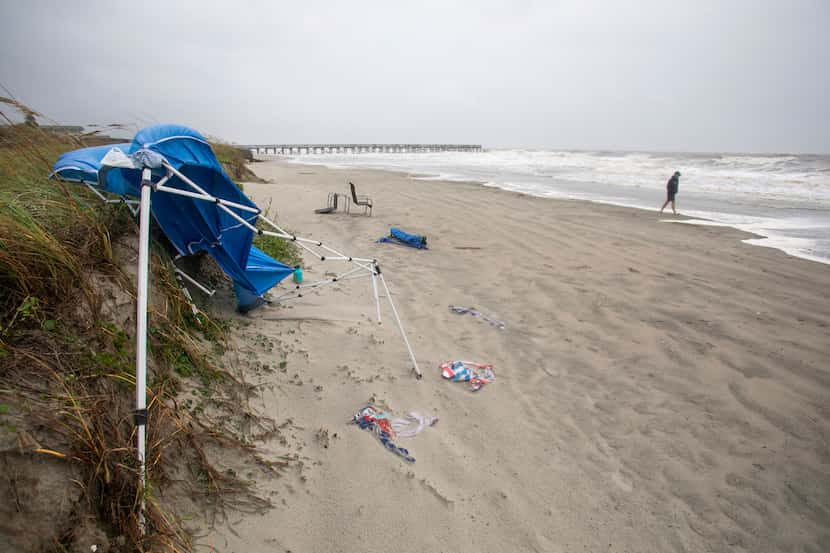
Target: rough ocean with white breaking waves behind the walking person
{"x":784,"y":199}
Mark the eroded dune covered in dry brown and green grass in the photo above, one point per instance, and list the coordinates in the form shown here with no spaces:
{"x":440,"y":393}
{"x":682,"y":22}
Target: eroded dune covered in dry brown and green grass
{"x":67,"y":374}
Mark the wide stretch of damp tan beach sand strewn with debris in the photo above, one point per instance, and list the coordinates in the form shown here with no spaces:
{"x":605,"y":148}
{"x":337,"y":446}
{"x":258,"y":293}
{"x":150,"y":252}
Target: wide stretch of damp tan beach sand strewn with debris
{"x":660,"y":387}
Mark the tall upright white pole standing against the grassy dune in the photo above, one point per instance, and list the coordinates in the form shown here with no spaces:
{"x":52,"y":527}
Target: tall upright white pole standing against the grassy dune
{"x":141,"y":338}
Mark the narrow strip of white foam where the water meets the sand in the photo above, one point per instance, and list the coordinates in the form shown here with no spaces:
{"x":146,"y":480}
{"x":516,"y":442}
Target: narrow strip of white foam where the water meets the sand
{"x":756,"y":239}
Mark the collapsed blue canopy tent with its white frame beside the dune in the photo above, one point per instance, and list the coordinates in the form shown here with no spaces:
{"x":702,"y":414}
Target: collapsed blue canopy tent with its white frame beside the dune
{"x":173,"y":171}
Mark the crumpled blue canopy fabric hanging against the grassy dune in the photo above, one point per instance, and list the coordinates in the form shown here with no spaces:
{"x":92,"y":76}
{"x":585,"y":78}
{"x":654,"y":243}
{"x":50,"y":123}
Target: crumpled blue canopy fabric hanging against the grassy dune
{"x":191,"y":225}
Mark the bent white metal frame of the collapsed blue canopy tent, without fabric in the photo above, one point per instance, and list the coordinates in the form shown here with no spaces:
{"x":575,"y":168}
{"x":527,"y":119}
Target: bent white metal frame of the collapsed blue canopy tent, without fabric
{"x":362,"y":267}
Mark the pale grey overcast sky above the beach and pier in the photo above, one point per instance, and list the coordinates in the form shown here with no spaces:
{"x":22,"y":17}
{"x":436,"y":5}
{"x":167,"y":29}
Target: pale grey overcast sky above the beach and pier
{"x":667,"y":75}
